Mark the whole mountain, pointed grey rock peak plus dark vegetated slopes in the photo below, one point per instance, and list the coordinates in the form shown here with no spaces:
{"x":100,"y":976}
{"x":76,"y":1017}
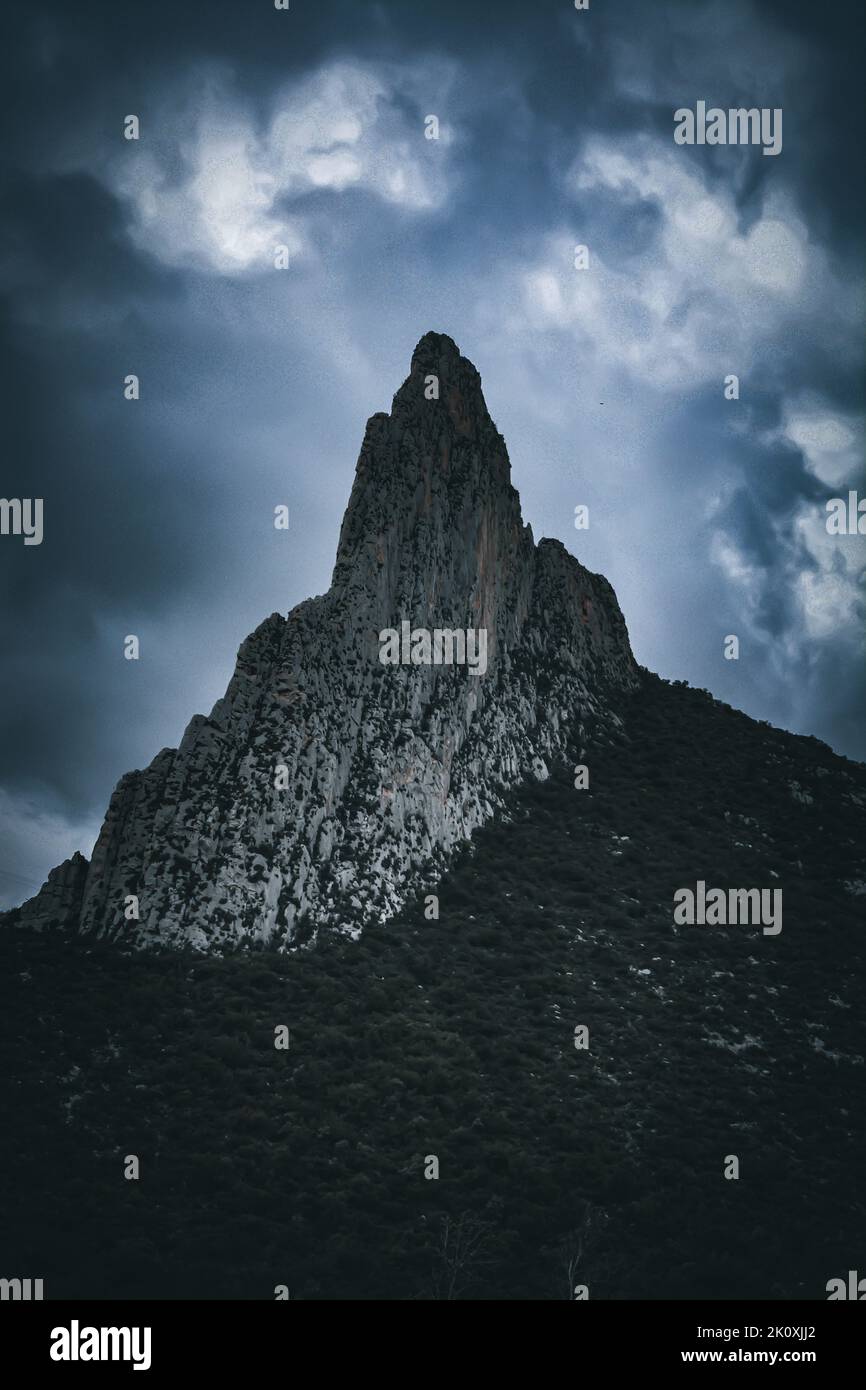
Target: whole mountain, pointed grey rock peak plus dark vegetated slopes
{"x":582,"y":1065}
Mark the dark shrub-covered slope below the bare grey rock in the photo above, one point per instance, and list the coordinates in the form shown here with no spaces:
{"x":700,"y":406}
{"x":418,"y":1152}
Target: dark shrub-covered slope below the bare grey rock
{"x":457,"y":1039}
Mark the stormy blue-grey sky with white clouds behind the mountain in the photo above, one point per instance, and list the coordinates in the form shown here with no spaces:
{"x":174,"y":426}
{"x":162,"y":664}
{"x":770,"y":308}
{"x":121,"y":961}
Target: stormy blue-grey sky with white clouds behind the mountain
{"x":307,"y":129}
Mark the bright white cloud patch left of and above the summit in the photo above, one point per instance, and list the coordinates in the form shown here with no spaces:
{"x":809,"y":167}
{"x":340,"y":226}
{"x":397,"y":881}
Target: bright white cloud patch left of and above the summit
{"x":216,"y":190}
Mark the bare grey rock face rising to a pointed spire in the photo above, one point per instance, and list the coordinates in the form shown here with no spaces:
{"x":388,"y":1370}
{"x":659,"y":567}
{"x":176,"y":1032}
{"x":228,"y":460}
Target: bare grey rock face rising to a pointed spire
{"x":327,"y":787}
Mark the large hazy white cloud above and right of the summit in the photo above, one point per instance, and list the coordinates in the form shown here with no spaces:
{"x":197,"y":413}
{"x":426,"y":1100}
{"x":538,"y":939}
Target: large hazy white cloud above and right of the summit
{"x":705,"y":298}
